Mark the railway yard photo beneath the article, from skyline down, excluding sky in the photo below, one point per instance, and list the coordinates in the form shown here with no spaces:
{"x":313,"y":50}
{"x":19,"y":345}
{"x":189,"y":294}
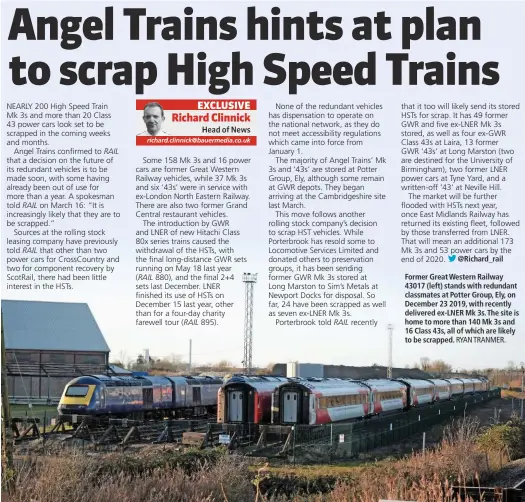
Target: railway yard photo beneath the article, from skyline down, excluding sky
{"x":81,"y":423}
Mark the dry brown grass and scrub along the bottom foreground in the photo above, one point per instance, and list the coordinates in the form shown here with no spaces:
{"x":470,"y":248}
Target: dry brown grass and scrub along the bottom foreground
{"x":158,"y":475}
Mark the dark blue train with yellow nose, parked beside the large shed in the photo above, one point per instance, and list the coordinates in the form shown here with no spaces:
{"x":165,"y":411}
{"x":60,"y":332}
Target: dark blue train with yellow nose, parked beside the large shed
{"x":141,"y":397}
